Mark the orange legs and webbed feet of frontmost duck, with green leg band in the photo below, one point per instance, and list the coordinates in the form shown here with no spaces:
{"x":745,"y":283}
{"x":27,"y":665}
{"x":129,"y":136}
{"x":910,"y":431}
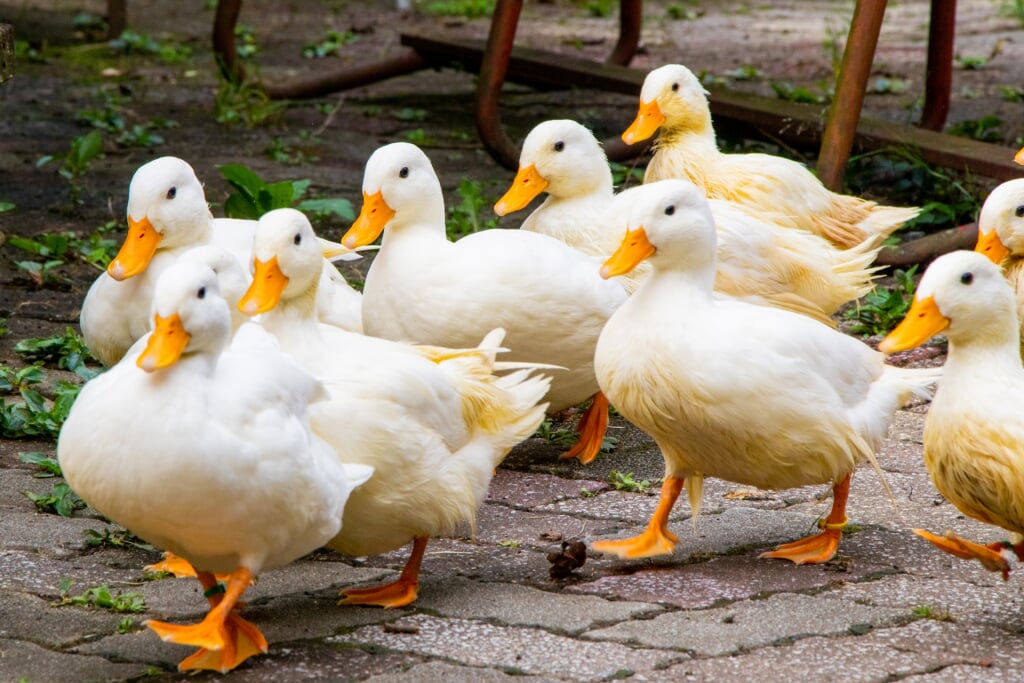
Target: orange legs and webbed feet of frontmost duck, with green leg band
{"x":225,"y":638}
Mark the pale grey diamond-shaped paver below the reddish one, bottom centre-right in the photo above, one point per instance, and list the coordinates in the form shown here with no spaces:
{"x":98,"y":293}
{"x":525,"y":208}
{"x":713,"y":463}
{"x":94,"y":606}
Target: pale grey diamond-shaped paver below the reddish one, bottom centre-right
{"x":749,"y":625}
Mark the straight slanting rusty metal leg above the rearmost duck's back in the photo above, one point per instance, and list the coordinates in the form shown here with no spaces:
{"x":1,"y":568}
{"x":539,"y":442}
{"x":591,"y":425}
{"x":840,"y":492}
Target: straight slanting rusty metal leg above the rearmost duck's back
{"x":845,"y":112}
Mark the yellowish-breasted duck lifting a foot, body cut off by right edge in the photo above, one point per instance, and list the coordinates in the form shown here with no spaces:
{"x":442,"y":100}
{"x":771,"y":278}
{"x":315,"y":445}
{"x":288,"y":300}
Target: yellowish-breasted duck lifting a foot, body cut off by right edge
{"x":974,"y":433}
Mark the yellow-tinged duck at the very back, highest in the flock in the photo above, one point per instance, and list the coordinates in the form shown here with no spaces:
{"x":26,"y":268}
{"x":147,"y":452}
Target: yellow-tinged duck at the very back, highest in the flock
{"x":784,"y":192}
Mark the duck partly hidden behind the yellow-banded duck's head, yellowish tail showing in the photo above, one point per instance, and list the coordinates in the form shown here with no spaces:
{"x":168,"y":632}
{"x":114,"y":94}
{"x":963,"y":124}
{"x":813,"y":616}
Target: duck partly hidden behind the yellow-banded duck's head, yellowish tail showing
{"x":771,"y":264}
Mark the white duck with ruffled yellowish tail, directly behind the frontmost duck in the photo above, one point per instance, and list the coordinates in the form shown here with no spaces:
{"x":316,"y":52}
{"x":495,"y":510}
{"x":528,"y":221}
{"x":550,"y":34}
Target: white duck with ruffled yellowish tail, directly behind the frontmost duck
{"x":435,"y":423}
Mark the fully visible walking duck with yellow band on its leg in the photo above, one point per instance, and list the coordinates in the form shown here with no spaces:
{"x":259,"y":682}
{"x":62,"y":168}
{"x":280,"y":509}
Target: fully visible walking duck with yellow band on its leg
{"x":747,"y":394}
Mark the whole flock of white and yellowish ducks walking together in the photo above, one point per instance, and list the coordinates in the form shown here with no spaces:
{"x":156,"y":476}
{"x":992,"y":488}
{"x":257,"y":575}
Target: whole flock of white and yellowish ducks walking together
{"x":258,"y":408}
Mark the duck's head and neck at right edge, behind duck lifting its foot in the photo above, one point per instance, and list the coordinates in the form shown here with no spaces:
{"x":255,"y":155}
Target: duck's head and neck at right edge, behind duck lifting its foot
{"x":1001,"y":236}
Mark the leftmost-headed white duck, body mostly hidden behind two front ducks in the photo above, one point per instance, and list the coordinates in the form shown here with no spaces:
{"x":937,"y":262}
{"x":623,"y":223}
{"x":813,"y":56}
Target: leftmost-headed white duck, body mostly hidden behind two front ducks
{"x":167,"y":216}
